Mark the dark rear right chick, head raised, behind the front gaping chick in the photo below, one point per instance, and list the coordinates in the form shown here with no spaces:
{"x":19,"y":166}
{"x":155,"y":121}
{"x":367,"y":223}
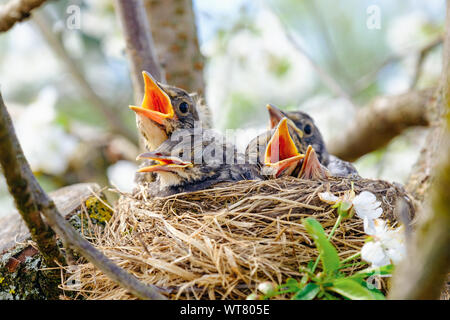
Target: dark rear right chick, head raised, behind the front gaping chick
{"x":312,"y":137}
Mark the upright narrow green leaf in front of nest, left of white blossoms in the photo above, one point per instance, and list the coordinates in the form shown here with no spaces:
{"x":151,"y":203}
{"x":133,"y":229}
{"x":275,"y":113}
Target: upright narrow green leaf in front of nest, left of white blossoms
{"x":328,"y":254}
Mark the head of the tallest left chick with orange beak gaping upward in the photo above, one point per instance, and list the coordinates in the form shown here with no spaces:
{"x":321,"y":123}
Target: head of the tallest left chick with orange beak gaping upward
{"x":164,"y":107}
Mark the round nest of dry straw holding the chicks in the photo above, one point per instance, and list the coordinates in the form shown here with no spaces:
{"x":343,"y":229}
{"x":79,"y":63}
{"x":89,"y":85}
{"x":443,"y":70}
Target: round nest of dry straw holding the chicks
{"x":221,"y":243}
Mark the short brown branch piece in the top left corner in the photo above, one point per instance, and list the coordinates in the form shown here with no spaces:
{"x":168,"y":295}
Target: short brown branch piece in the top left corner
{"x":16,"y":11}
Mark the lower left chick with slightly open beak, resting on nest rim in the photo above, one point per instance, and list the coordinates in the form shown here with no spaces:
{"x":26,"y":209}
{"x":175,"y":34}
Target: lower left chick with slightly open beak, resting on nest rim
{"x":197,"y":161}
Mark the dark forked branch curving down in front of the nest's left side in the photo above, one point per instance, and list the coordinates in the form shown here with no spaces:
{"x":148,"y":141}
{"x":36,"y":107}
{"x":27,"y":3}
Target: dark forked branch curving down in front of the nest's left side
{"x":32,"y":201}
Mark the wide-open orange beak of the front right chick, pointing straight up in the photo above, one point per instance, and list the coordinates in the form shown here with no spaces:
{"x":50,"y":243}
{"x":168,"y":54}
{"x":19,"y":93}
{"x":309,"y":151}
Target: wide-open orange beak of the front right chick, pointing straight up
{"x":281,"y":152}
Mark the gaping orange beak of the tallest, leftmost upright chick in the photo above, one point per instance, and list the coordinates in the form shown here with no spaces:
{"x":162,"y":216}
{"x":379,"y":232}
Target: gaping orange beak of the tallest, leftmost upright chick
{"x":156,"y":104}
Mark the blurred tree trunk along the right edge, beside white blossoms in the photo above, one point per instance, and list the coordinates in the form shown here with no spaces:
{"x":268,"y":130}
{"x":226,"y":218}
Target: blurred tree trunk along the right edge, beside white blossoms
{"x":422,"y":273}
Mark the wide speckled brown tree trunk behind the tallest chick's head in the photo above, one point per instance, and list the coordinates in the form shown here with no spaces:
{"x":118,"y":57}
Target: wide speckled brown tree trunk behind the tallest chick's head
{"x":174,"y":31}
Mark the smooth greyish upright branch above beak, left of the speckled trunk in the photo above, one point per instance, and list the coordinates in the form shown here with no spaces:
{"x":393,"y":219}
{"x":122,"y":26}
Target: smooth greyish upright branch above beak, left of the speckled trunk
{"x":140,"y":47}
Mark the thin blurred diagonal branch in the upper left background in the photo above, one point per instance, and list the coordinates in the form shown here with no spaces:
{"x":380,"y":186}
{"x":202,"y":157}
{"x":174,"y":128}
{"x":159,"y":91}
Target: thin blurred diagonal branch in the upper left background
{"x":115,"y":123}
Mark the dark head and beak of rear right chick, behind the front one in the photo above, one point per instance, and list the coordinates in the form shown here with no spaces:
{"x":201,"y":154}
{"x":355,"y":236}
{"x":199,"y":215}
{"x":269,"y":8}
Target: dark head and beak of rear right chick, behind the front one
{"x":304,"y":123}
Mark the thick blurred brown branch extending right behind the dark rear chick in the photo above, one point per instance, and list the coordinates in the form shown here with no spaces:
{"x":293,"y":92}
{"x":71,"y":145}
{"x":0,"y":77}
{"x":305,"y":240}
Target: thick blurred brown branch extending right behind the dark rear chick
{"x":378,"y":123}
